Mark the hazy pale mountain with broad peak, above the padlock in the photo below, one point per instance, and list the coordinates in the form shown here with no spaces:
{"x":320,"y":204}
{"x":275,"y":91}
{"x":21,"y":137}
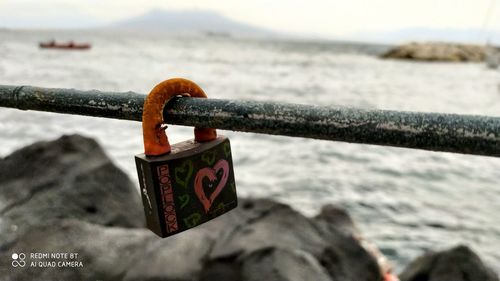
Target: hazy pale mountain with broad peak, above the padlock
{"x":190,"y":21}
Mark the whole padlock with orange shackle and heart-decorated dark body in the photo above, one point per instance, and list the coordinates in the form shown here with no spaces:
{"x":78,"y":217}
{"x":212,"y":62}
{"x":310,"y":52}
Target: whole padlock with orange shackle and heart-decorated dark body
{"x":188,"y":183}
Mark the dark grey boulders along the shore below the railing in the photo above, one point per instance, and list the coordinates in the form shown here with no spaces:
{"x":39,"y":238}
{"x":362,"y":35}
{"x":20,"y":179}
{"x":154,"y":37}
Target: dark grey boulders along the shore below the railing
{"x":66,"y":196}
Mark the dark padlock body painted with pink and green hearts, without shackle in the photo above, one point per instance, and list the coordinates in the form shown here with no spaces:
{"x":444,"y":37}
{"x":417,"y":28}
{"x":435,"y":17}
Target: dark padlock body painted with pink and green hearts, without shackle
{"x":187,"y":187}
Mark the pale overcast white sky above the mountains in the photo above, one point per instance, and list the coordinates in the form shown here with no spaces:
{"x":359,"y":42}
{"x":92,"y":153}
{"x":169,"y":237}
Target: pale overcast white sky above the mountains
{"x":326,"y":18}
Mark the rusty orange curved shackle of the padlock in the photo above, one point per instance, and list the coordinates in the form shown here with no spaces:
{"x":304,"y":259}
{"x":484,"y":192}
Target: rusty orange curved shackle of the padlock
{"x":155,"y":139}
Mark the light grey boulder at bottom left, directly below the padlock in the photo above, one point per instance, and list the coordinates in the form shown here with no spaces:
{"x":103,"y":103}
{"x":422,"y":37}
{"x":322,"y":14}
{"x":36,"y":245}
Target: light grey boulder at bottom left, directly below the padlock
{"x":110,"y":253}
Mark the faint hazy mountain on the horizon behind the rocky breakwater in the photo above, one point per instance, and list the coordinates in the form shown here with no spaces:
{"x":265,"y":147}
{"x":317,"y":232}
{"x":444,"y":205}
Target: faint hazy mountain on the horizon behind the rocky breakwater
{"x":477,"y":36}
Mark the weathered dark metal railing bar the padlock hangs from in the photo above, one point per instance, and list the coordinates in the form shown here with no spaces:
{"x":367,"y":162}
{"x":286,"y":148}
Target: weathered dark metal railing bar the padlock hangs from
{"x":469,"y":134}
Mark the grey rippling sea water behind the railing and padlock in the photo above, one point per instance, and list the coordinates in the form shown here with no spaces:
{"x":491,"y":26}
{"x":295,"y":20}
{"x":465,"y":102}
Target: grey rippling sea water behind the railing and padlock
{"x":406,"y":201}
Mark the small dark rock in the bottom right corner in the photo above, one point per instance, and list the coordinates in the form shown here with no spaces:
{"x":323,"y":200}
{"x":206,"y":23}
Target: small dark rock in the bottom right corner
{"x":457,"y":264}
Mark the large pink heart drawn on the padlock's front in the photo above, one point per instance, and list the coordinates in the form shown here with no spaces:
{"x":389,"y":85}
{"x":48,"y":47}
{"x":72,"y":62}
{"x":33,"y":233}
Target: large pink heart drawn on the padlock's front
{"x":211,"y":174}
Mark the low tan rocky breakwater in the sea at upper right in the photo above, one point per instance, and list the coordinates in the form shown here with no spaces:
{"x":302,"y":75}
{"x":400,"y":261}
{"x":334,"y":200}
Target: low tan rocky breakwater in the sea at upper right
{"x":439,"y":51}
